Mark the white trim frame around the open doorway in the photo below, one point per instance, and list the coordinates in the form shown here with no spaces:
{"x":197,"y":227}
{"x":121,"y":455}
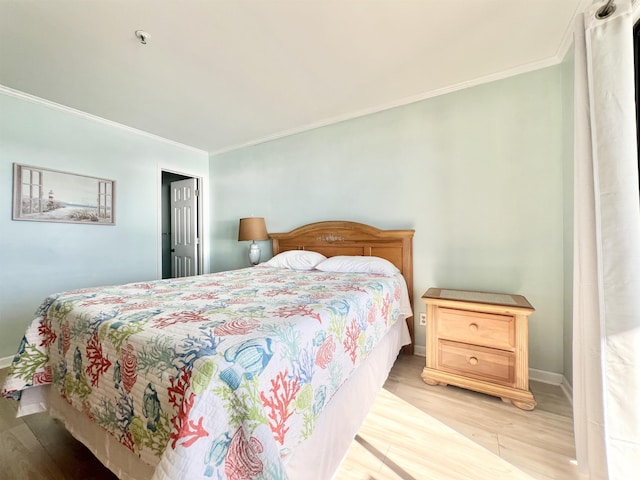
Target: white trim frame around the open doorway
{"x":203,"y":227}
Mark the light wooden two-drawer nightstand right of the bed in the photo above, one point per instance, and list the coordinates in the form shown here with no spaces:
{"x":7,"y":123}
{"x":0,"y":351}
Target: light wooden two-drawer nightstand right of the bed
{"x":479,"y":341}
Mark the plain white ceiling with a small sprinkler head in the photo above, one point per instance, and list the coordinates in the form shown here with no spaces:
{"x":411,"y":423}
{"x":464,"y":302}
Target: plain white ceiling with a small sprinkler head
{"x":220,"y":74}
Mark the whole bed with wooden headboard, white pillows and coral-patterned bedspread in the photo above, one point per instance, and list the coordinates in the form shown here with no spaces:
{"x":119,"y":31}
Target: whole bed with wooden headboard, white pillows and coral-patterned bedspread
{"x":246,"y":374}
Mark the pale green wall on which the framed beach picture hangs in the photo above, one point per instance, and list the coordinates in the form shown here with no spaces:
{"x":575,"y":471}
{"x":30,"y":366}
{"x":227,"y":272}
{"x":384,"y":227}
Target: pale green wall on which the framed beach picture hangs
{"x":41,"y":258}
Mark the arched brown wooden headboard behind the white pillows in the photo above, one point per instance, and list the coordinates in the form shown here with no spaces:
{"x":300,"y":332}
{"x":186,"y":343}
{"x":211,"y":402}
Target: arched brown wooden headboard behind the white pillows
{"x":350,"y":238}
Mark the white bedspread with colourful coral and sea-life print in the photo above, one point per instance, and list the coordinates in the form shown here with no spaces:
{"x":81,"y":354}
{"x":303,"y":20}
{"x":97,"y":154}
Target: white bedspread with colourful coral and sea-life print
{"x":216,"y":376}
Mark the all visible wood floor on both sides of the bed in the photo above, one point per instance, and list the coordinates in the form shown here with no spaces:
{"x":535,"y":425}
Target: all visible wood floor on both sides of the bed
{"x":413,"y":431}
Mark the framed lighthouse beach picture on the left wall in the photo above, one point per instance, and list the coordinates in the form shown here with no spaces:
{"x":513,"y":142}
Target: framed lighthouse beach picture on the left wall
{"x":45,"y":195}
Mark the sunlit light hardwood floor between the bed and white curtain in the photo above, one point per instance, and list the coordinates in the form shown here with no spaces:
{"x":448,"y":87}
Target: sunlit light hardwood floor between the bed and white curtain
{"x":416,"y":431}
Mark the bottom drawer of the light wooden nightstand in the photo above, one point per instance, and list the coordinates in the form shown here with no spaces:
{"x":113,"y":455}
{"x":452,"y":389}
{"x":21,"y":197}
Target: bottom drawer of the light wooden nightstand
{"x":488,"y":364}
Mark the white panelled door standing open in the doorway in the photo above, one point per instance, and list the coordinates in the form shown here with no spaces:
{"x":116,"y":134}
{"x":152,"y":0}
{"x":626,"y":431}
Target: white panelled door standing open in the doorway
{"x":184,"y":228}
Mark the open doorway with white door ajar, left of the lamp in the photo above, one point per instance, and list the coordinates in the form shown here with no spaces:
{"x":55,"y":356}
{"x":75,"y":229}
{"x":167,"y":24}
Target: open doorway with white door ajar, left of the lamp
{"x":181,"y":225}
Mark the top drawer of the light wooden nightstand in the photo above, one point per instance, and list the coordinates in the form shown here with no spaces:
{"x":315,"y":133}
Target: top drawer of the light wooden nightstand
{"x":486,"y":329}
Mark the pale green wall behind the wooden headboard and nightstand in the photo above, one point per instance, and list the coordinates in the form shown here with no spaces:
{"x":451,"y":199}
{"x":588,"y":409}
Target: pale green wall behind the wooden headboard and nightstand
{"x":478,"y":173}
